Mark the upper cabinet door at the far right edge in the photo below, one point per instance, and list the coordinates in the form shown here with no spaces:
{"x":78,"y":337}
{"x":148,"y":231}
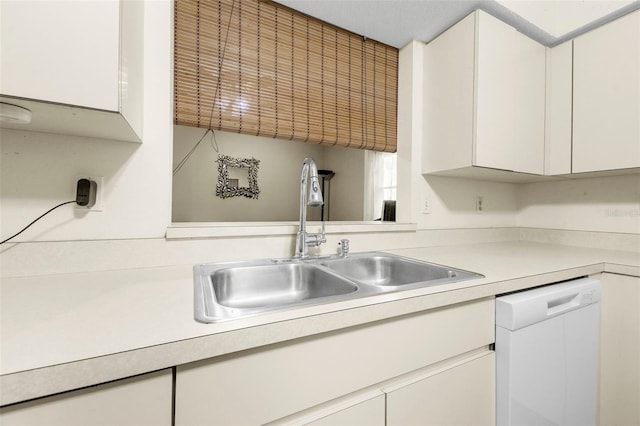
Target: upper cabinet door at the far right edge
{"x":606,"y":97}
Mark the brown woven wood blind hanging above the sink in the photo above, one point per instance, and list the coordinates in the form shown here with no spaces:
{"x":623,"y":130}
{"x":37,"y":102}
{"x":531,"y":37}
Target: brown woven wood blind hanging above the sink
{"x":259,"y":68}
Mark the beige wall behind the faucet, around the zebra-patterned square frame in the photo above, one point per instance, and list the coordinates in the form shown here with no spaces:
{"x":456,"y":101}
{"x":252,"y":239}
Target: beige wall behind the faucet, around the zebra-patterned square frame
{"x":194,"y":186}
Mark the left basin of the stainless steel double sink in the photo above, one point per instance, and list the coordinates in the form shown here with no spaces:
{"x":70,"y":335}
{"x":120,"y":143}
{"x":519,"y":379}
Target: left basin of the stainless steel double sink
{"x":276,"y":285}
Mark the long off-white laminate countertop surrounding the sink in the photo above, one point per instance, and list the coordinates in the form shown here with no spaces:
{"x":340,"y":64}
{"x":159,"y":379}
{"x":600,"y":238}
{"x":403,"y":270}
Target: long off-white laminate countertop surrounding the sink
{"x":61,"y":332}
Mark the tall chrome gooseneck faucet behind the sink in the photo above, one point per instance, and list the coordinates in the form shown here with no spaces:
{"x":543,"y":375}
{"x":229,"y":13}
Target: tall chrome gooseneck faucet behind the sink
{"x":304,"y":240}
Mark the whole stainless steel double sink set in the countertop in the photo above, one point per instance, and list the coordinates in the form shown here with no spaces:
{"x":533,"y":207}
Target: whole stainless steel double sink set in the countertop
{"x":225,"y":291}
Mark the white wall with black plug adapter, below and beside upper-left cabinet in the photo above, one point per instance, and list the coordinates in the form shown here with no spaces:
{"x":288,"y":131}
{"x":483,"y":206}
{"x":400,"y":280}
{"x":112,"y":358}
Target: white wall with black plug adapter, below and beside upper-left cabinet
{"x":39,"y":169}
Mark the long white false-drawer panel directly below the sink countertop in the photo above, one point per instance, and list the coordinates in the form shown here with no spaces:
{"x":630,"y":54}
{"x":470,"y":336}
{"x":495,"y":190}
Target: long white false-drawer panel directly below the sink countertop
{"x":263,"y":385}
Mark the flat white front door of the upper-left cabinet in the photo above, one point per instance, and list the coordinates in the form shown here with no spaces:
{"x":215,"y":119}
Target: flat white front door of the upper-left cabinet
{"x":61,"y":51}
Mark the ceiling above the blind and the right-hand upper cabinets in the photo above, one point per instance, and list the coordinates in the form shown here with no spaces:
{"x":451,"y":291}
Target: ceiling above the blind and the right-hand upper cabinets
{"x":397,"y":22}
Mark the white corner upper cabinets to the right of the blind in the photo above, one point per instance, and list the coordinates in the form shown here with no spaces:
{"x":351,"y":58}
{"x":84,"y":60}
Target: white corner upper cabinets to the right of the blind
{"x":496,"y":101}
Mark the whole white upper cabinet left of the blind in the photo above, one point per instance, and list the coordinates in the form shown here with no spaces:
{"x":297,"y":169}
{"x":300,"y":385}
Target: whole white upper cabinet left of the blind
{"x":77,"y":66}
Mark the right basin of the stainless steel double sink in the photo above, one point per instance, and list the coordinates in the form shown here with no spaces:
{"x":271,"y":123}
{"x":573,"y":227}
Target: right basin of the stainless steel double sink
{"x":381,"y":269}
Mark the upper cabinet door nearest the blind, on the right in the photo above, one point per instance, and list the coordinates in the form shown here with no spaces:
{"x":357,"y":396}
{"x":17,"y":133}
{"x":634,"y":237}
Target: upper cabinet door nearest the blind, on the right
{"x":510,"y":98}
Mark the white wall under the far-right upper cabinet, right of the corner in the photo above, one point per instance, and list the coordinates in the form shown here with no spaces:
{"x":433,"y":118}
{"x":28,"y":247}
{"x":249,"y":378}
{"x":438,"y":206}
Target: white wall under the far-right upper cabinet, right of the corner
{"x":604,"y":204}
